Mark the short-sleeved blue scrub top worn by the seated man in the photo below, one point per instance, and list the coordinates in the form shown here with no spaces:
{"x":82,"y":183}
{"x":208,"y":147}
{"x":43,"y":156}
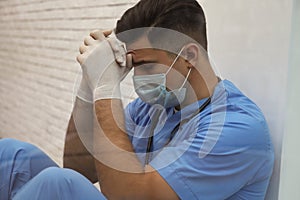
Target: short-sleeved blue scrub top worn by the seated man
{"x":223,"y":152}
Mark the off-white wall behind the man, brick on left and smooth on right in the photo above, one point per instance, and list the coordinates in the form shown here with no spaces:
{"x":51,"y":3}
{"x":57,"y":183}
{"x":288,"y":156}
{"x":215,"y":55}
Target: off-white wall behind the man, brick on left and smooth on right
{"x":249,"y":42}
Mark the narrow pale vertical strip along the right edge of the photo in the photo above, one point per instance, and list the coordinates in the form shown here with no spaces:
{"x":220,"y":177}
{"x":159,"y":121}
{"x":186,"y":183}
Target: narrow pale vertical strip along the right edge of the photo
{"x":290,"y":175}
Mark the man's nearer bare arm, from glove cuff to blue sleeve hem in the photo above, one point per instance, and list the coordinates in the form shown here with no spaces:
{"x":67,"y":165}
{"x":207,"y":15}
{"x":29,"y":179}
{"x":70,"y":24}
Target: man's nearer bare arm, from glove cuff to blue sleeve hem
{"x":120,"y":172}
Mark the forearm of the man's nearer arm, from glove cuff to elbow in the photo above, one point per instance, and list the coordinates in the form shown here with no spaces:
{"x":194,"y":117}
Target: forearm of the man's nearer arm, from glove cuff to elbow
{"x":116,"y":163}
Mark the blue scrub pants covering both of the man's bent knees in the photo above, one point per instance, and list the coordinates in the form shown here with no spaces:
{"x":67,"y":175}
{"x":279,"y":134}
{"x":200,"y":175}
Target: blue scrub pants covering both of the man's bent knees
{"x":26,"y":173}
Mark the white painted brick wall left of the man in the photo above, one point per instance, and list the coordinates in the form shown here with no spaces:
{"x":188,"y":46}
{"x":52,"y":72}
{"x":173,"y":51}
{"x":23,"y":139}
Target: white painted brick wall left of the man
{"x":39,"y":44}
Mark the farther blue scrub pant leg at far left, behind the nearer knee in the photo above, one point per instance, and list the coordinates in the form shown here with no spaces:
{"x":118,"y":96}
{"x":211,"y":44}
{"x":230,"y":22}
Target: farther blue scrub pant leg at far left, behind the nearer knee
{"x":19,"y":163}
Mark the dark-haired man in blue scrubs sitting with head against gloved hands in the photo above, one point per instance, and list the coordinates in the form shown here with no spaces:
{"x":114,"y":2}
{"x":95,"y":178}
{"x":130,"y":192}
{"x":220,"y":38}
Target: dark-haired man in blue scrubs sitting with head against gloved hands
{"x":189,"y":135}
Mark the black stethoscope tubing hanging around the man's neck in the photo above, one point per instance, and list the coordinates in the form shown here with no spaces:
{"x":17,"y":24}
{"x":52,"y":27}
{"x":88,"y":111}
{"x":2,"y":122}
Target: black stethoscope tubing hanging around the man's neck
{"x":174,"y":131}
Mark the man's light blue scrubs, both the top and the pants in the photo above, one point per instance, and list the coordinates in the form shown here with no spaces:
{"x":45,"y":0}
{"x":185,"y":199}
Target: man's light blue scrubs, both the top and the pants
{"x":224,"y":152}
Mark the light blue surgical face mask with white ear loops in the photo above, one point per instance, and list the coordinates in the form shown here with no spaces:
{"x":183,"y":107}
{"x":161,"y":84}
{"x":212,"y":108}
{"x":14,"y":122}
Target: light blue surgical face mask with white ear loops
{"x":152,"y":89}
